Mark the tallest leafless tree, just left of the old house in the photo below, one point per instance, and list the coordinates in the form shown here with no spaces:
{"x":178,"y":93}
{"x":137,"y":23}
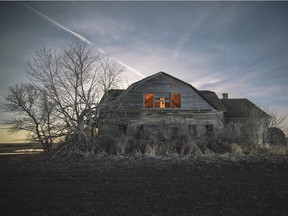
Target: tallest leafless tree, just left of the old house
{"x":74,"y":80}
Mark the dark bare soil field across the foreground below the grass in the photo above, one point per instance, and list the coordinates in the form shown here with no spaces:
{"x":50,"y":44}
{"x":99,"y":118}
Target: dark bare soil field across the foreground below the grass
{"x":250,"y":185}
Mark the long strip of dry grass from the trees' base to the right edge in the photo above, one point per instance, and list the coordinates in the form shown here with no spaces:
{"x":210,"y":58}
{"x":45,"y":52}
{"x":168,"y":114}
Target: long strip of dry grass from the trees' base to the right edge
{"x":161,"y":146}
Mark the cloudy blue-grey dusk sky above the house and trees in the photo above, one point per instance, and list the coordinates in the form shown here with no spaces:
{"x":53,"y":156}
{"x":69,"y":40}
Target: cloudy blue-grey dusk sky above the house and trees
{"x":235,"y":47}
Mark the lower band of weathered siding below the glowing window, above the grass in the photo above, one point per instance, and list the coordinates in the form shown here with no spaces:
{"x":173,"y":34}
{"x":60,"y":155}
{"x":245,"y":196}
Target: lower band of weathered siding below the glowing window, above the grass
{"x":166,"y":121}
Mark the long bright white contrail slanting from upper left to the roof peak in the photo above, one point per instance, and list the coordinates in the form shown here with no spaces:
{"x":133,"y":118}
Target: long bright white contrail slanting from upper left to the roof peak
{"x":81,"y":38}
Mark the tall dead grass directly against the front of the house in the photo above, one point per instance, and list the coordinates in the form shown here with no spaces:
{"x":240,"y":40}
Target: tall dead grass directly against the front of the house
{"x":181,"y":146}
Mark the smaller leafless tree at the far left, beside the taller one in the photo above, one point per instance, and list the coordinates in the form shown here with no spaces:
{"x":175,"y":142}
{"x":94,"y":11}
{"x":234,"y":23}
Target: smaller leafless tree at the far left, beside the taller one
{"x":35,"y":114}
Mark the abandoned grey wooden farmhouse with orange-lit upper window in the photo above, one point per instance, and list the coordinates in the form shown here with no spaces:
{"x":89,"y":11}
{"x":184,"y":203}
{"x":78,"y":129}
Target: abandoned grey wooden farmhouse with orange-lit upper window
{"x":164,"y":103}
